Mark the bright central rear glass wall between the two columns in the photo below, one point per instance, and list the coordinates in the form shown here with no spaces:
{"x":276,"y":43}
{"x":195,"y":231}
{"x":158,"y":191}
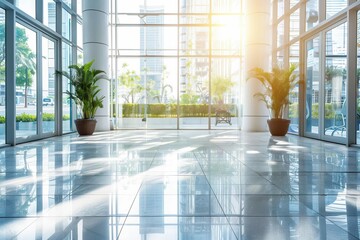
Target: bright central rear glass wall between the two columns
{"x":175,"y":57}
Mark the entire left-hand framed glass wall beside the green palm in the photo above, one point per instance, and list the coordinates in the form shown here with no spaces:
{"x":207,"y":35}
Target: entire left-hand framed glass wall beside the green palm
{"x":37,"y":89}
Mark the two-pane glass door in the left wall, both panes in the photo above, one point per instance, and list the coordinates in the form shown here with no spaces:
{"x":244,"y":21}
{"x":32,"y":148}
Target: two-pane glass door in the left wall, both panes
{"x":35,"y":84}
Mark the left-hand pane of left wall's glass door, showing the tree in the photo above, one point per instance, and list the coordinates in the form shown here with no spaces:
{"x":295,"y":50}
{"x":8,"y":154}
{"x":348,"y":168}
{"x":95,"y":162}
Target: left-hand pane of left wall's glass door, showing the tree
{"x":26,"y":87}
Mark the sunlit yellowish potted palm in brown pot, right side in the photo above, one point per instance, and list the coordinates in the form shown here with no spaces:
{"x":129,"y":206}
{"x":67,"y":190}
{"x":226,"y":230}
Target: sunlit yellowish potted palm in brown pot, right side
{"x":277,"y":86}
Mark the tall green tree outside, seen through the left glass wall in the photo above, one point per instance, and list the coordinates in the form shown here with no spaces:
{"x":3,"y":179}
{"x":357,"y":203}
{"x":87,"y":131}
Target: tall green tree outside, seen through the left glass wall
{"x":25,"y":60}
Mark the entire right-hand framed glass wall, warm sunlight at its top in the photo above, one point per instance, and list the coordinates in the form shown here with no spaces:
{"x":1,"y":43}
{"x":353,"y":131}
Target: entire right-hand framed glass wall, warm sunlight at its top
{"x":323,"y":28}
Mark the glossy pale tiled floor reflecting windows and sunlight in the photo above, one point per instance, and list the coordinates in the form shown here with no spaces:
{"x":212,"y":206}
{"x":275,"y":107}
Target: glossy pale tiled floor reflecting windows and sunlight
{"x":190,"y":185}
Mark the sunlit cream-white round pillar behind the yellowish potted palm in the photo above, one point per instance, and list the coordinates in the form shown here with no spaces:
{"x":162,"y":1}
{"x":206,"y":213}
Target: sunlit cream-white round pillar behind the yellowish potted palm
{"x":257,"y":54}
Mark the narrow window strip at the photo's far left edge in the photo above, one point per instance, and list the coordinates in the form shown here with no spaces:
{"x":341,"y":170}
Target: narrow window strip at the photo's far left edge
{"x":2,"y":76}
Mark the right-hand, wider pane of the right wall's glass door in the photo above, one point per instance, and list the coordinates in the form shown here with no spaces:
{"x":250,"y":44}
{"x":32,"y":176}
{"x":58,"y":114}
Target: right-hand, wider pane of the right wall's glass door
{"x":335,"y":81}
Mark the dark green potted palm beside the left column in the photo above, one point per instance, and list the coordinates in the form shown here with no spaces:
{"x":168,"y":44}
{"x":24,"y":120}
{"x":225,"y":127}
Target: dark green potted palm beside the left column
{"x":84,"y":80}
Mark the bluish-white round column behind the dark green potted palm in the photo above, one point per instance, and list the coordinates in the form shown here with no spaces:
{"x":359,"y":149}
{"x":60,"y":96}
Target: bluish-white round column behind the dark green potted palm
{"x":96,"y":44}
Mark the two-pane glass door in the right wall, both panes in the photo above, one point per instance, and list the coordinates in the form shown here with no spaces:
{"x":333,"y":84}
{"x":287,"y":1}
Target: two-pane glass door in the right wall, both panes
{"x":326,"y":80}
